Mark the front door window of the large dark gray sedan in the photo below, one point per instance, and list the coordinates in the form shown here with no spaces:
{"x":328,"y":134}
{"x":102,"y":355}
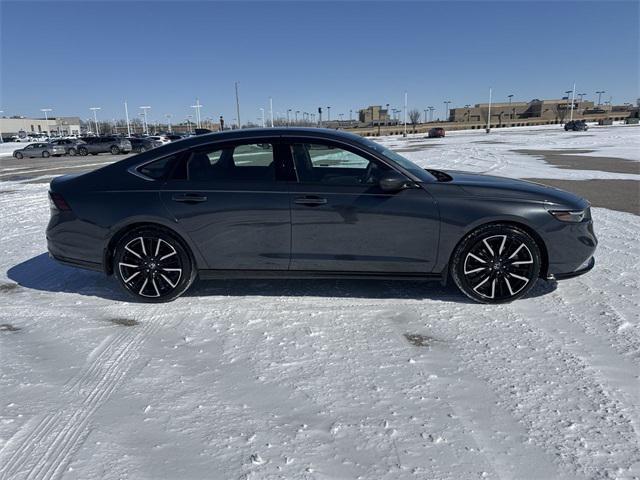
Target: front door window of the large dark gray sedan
{"x":320,"y":163}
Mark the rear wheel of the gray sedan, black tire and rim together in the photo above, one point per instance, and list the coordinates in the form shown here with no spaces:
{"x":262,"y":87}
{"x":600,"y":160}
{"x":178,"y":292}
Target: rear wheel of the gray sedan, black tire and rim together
{"x":153,"y":265}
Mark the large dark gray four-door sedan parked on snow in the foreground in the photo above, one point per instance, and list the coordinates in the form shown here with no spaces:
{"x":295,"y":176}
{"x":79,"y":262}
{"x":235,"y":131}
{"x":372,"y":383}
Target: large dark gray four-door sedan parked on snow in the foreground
{"x":312,"y":203}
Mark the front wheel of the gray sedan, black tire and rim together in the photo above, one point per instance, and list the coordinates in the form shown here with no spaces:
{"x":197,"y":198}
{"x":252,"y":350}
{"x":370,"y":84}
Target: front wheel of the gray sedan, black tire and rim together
{"x":496,"y":264}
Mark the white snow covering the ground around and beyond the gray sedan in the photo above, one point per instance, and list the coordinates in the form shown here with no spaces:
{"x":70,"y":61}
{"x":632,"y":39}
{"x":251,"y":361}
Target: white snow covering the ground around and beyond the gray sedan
{"x":324,"y":379}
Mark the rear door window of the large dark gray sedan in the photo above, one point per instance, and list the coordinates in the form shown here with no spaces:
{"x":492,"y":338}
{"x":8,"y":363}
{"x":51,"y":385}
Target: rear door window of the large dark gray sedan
{"x":252,"y":162}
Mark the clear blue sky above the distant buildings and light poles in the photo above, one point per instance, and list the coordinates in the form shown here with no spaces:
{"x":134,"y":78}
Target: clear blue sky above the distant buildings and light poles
{"x":73,"y":55}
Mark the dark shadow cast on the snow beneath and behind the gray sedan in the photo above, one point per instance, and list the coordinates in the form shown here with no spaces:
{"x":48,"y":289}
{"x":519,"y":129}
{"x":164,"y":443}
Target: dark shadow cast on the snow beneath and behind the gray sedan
{"x":44,"y":274}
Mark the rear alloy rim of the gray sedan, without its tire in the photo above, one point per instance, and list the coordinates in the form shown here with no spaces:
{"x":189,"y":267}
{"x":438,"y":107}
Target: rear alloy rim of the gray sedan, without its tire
{"x":150,"y":267}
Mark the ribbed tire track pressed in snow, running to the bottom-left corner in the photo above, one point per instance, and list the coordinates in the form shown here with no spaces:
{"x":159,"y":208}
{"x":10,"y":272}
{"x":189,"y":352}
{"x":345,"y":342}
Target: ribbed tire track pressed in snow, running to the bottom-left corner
{"x":42,"y":449}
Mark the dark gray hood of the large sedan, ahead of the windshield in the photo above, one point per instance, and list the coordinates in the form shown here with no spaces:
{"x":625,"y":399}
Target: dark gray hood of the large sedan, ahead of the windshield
{"x":502,"y":187}
